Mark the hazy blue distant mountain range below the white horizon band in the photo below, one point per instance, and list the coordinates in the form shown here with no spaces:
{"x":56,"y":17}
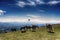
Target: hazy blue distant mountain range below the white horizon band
{"x":17,"y":24}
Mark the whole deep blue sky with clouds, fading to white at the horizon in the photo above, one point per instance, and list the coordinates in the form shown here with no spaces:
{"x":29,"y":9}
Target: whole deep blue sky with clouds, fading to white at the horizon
{"x":38,"y":10}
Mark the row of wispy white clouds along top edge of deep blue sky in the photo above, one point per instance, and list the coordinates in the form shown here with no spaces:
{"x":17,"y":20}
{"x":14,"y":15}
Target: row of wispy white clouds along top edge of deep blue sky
{"x":36,"y":2}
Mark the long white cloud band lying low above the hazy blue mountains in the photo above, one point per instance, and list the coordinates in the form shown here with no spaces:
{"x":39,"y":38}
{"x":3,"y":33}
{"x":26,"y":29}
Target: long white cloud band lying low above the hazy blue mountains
{"x":34,"y":19}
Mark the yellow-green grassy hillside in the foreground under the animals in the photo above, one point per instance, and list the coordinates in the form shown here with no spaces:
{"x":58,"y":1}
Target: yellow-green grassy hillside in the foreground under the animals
{"x":40,"y":34}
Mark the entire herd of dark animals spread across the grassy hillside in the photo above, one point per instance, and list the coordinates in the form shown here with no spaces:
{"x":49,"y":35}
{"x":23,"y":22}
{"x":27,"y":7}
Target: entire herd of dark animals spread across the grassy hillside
{"x":33,"y":28}
